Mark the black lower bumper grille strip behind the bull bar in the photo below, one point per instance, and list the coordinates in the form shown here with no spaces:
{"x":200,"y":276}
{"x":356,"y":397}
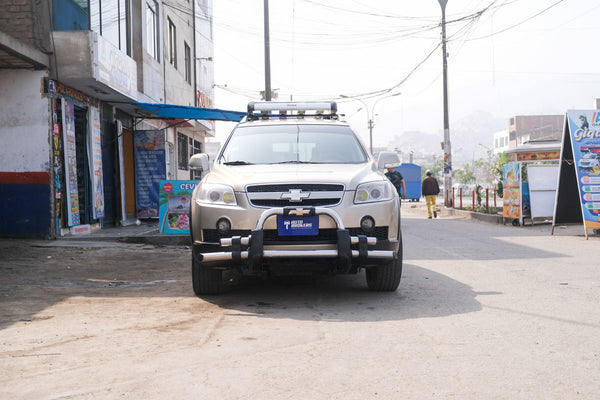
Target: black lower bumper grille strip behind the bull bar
{"x":325,"y":236}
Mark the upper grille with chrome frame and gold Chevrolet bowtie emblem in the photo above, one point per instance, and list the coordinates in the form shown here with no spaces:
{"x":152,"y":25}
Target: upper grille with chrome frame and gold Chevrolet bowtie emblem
{"x":295,"y":194}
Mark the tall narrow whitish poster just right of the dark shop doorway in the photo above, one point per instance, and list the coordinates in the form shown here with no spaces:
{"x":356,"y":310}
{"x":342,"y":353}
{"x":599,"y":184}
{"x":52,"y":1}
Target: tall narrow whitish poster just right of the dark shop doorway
{"x":95,"y":162}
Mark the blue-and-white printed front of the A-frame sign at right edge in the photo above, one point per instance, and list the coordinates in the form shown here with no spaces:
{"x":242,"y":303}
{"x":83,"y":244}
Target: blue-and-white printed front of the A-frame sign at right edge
{"x":584,"y":130}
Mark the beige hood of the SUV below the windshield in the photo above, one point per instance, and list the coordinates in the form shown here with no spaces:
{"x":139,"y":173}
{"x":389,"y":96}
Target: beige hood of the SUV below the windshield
{"x":238,"y":176}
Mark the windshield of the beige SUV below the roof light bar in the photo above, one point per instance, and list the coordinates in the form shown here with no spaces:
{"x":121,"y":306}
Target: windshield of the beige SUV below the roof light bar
{"x":279,"y":144}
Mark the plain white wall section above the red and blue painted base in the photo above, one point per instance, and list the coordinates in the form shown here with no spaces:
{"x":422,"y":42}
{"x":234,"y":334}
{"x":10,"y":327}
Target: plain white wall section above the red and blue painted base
{"x":24,"y":122}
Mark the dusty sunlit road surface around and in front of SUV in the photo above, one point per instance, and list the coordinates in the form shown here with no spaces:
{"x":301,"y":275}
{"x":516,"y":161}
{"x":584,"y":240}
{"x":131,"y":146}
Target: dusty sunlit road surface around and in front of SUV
{"x":483,"y":312}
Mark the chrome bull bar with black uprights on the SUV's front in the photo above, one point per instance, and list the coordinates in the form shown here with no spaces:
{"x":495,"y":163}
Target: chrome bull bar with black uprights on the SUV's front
{"x":254,"y":251}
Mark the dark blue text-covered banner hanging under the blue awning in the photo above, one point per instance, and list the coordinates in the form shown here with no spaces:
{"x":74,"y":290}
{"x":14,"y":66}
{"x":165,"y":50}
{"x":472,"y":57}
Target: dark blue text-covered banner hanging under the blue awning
{"x":150,"y":169}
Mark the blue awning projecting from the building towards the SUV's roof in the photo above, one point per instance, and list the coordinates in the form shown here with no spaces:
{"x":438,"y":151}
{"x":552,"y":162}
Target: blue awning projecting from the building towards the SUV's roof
{"x":172,"y":111}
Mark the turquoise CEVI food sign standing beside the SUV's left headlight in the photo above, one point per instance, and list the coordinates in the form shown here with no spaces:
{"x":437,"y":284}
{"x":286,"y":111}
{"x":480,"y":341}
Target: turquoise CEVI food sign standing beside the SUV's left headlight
{"x":175,"y":200}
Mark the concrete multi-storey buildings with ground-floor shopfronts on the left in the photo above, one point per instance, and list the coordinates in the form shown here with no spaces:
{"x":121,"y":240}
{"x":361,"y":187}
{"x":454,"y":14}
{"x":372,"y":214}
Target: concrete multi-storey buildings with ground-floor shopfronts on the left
{"x":78,"y":152}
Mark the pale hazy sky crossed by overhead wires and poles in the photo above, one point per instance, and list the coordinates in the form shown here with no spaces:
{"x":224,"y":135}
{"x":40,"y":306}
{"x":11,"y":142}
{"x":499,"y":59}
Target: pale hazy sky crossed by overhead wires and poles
{"x":506,"y":57}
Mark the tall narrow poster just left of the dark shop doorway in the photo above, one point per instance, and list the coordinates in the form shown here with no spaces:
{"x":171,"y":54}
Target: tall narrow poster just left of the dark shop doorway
{"x":70,"y":162}
